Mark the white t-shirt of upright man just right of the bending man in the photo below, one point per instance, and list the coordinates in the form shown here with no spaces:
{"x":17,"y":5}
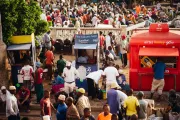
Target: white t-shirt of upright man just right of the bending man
{"x":110,"y":73}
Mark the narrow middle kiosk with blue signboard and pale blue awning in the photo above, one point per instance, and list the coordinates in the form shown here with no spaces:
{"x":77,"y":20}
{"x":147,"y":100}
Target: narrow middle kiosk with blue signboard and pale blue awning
{"x":86,"y":52}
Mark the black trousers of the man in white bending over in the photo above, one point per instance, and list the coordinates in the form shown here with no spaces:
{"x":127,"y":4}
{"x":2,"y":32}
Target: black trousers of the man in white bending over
{"x":91,"y":88}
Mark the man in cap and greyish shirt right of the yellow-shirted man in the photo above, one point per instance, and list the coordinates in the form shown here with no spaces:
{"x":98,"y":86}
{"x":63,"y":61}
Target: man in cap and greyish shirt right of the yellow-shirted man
{"x":142,"y":114}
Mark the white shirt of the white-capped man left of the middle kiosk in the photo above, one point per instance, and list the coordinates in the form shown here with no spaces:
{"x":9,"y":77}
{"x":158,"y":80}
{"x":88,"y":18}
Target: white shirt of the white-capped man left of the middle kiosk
{"x":69,"y":74}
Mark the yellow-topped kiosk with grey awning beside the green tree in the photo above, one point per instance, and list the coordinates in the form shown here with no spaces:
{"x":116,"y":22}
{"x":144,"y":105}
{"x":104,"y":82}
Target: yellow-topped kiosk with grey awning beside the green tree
{"x":21,"y":49}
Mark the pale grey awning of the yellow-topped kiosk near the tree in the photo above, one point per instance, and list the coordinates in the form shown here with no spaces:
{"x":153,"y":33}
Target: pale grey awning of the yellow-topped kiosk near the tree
{"x":19,"y":47}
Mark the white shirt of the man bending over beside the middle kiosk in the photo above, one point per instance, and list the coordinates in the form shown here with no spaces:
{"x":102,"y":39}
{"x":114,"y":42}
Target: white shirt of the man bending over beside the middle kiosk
{"x":95,"y":75}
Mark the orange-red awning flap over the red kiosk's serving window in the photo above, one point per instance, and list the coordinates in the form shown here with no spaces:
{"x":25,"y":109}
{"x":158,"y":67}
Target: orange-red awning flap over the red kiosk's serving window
{"x":158,"y":52}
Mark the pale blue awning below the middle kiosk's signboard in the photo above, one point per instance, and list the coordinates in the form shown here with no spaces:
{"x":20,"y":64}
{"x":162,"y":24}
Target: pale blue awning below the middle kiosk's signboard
{"x":85,"y":46}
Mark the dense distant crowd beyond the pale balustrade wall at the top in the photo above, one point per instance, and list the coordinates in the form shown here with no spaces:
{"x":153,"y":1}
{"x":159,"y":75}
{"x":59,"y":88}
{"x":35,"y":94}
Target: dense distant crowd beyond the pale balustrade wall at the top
{"x":87,"y":14}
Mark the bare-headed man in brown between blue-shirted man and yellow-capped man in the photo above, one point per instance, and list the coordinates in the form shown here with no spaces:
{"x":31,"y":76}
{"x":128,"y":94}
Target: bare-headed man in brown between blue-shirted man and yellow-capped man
{"x":72,"y":112}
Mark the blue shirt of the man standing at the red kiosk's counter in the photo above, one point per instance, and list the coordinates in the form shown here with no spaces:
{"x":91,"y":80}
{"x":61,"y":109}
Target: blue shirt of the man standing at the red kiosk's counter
{"x":159,"y":69}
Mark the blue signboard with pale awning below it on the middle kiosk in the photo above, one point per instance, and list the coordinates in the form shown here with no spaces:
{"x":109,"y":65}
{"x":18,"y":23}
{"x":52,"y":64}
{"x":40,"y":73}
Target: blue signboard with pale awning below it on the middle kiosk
{"x":89,"y":41}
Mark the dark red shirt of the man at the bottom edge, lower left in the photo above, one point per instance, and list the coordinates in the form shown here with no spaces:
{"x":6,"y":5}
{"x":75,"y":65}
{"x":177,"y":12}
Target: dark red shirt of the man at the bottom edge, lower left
{"x":46,"y":105}
